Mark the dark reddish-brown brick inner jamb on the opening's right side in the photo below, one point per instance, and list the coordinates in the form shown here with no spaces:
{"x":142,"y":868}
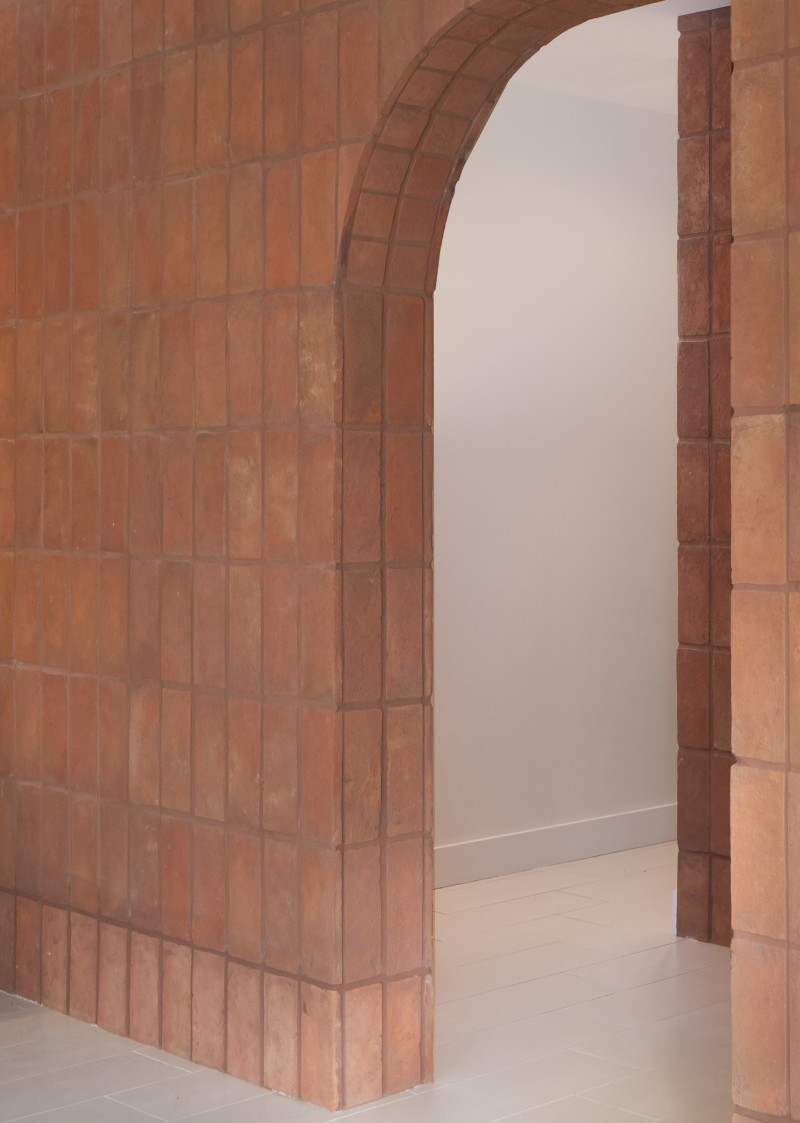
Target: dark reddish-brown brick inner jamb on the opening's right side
{"x":704,"y":478}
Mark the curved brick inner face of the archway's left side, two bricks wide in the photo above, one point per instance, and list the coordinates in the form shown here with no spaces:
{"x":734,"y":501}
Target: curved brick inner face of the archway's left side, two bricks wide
{"x":386,"y":279}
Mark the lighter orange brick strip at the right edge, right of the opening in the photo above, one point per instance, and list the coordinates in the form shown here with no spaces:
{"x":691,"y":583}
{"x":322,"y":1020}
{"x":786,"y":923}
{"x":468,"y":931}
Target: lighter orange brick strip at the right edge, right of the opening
{"x":766,"y":620}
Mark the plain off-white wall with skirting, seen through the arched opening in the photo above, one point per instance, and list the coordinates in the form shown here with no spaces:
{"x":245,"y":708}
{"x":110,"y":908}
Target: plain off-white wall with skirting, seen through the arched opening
{"x":556,"y":604}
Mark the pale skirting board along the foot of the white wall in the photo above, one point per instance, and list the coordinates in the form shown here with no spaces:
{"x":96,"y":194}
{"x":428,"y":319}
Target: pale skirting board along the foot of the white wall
{"x":551,"y":846}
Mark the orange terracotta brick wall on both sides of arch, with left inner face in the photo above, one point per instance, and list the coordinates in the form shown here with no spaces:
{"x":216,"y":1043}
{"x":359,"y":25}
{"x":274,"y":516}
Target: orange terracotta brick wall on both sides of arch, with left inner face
{"x":220,"y":223}
